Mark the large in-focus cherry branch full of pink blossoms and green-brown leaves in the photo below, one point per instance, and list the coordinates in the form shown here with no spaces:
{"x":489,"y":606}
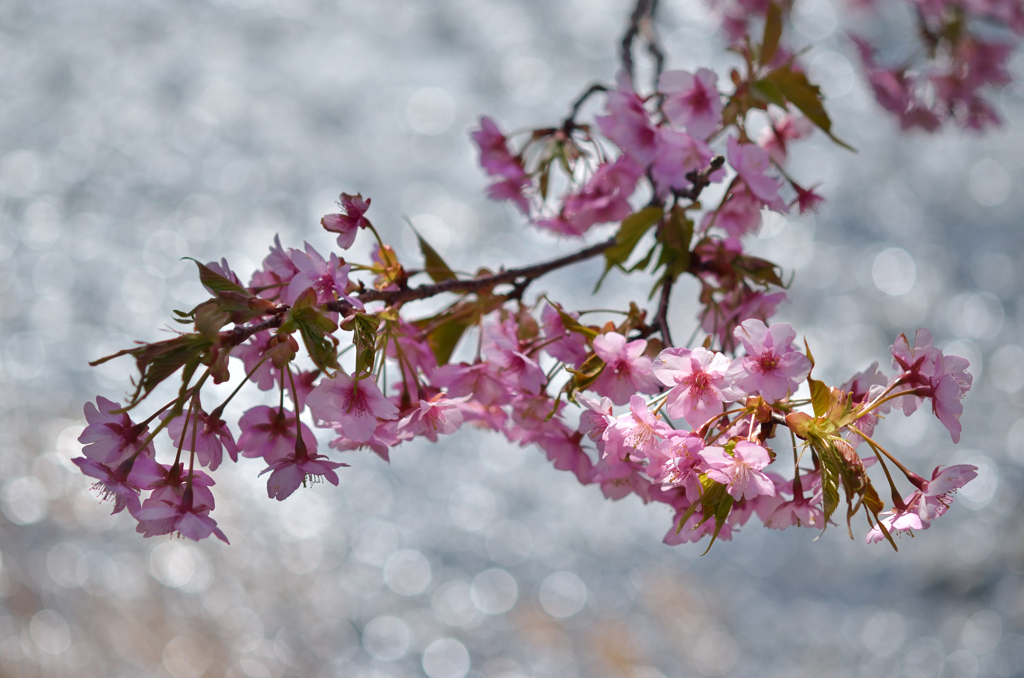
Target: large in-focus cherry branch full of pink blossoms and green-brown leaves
{"x":614,"y":402}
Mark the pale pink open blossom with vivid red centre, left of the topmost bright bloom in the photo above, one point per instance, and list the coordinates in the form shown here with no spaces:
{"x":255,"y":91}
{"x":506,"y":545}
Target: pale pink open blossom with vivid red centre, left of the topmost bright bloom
{"x":698,"y":382}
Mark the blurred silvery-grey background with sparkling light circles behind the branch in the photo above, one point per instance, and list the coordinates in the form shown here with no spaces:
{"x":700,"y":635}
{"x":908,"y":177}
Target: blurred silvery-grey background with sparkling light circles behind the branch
{"x":135,"y":133}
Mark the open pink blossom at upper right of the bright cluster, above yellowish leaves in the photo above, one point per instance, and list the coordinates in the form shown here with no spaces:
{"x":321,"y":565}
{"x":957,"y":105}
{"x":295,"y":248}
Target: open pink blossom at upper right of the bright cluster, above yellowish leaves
{"x":773,"y":367}
